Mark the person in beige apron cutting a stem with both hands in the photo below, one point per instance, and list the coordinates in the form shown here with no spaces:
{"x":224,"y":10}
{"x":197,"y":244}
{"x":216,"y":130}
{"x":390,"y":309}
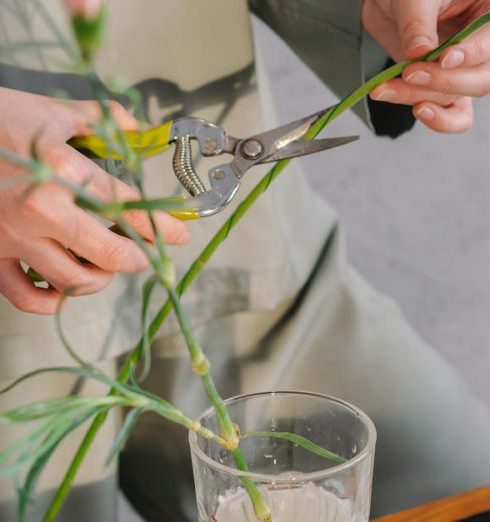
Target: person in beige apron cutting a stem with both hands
{"x":278,"y":306}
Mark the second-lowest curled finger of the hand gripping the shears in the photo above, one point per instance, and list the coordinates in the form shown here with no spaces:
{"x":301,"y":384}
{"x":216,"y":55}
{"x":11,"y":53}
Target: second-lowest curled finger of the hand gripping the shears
{"x":62,"y":271}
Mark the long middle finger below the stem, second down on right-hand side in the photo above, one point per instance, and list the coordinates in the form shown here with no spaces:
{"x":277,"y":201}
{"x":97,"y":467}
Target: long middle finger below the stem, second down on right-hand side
{"x":466,"y":81}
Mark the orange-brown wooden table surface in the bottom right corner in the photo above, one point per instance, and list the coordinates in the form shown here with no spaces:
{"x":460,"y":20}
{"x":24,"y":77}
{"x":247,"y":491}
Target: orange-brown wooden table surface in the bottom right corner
{"x":448,"y":509}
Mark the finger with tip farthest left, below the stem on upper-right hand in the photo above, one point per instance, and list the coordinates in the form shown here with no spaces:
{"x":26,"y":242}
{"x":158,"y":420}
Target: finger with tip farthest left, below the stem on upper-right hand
{"x":400,"y":92}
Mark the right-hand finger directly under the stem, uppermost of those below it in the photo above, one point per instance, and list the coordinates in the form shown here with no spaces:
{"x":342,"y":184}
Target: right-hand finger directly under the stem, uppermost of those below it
{"x":472,"y":51}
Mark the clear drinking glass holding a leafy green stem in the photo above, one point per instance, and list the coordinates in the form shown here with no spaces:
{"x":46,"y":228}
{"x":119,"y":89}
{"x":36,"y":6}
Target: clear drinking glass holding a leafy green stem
{"x":299,"y":486}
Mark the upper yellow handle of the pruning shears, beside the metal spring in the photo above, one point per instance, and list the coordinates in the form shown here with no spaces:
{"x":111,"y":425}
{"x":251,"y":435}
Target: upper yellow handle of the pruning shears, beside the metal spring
{"x":145,"y":143}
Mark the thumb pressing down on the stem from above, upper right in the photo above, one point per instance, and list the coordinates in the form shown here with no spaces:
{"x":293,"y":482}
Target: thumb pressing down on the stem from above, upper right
{"x":417,"y":25}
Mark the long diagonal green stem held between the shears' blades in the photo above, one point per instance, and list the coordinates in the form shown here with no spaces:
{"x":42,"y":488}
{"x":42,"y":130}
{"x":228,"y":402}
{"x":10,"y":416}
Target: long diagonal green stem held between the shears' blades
{"x":223,"y":232}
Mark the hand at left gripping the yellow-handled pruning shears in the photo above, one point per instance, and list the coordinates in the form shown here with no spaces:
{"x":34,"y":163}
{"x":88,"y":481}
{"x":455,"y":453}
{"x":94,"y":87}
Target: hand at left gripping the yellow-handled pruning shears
{"x":40,"y":228}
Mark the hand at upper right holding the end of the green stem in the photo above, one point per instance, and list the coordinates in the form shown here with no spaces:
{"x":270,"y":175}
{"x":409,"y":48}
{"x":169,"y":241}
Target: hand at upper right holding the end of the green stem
{"x":440,"y":92}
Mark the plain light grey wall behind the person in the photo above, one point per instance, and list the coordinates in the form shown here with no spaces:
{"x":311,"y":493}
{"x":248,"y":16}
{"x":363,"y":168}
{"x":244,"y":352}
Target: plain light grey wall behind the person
{"x":415,"y":212}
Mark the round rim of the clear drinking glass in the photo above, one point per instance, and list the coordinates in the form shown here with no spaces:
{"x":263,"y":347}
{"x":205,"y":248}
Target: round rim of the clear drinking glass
{"x":315,"y":475}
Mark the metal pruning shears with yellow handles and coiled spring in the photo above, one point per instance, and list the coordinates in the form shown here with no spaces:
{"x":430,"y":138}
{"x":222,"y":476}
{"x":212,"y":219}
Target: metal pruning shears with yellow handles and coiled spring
{"x":283,"y":142}
